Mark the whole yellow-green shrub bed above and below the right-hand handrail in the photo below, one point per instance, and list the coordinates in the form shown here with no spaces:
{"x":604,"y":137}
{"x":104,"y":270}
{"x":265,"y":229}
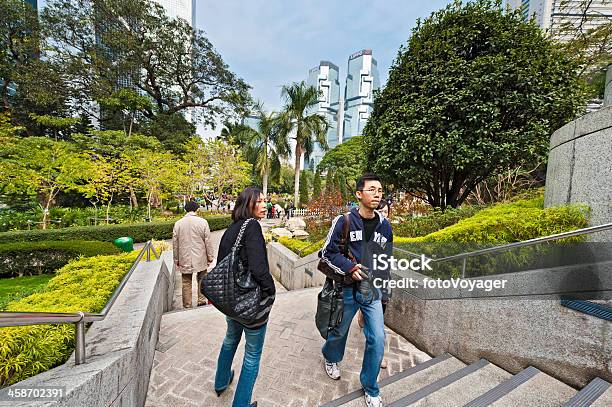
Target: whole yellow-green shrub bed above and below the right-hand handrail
{"x":500,"y":224}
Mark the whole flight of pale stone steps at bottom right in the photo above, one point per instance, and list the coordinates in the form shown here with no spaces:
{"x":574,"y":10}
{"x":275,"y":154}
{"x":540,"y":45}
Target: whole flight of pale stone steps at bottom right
{"x":447,"y":381}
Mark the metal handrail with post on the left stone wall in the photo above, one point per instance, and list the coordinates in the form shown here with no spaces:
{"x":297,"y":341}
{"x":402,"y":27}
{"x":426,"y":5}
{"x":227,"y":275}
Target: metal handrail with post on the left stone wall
{"x":78,"y":318}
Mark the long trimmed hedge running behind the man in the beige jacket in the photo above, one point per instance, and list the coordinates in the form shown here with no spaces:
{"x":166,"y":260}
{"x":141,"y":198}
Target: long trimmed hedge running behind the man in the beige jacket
{"x":140,"y":232}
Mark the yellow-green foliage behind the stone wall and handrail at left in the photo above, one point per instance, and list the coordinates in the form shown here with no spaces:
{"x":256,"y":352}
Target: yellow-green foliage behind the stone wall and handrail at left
{"x":82,"y":285}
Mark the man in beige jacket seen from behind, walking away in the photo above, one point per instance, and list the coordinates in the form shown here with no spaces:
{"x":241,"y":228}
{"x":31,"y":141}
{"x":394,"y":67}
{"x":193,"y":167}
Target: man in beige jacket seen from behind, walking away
{"x":193,"y":250}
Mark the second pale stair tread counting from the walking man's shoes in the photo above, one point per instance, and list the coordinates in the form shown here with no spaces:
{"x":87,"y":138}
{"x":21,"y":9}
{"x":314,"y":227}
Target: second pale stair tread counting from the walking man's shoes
{"x":457,"y":388}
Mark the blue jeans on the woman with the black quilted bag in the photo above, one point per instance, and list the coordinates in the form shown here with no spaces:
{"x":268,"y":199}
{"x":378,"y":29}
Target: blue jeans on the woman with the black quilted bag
{"x":250,"y":363}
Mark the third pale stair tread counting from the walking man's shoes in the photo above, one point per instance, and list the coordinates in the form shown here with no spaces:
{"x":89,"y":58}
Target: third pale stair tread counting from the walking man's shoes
{"x":541,"y":390}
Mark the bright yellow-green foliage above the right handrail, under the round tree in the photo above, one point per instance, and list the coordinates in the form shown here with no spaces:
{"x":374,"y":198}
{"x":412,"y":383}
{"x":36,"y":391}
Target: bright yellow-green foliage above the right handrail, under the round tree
{"x":510,"y":222}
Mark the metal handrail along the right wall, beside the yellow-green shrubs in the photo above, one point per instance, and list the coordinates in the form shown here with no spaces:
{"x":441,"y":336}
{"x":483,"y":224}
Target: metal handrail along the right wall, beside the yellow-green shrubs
{"x":513,"y":245}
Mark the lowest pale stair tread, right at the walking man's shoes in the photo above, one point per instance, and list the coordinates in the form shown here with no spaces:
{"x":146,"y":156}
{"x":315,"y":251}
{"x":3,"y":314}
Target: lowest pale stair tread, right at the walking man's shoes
{"x":393,"y":387}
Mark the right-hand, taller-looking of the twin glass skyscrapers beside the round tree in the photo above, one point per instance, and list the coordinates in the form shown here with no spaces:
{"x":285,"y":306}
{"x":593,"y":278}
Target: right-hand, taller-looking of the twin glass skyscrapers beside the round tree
{"x":361,"y":81}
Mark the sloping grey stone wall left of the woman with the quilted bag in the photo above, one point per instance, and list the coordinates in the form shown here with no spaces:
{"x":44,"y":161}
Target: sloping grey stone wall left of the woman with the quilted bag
{"x":119,"y":349}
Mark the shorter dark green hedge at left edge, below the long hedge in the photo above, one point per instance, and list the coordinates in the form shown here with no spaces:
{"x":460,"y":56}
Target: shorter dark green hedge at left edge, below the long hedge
{"x":29,"y":258}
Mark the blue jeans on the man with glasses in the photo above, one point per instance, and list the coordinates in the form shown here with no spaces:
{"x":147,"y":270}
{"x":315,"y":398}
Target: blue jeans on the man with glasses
{"x":374,"y":330}
